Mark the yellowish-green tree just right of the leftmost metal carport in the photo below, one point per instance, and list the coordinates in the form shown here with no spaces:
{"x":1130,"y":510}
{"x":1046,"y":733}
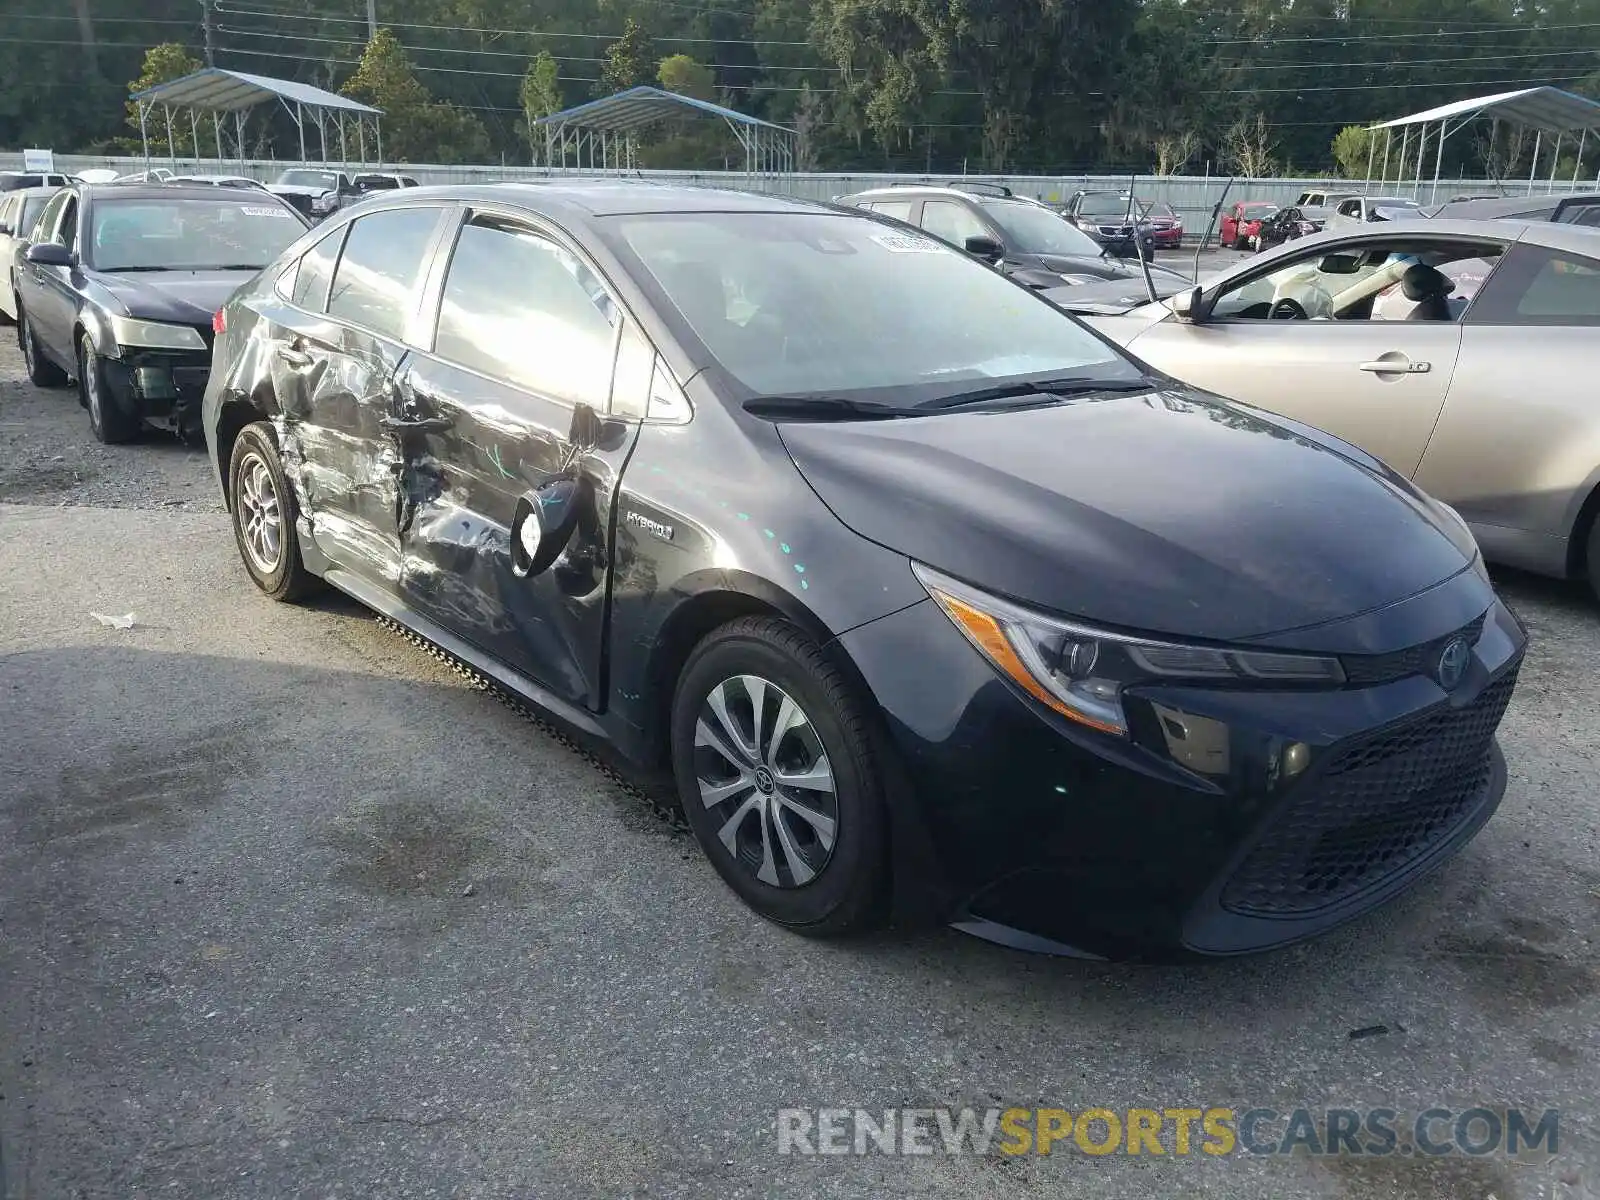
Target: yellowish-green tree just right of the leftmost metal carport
{"x":415,"y":126}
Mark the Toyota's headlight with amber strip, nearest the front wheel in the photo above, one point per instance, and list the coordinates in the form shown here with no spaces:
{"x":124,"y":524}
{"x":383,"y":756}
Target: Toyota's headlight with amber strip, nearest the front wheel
{"x":1082,"y":673}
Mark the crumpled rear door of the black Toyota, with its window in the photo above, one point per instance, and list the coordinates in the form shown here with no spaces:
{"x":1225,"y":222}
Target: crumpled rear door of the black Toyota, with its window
{"x":335,"y":361}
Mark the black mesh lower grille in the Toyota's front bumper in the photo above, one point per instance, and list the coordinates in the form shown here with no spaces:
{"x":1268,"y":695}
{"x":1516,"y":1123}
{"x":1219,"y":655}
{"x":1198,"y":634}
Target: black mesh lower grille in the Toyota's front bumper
{"x":1374,"y":809}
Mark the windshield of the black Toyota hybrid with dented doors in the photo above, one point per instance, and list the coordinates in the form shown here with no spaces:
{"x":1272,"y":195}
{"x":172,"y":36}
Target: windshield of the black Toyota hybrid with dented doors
{"x":822,"y":305}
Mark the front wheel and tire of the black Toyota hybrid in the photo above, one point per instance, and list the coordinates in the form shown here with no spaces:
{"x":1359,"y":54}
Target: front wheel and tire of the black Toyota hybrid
{"x":777,"y":769}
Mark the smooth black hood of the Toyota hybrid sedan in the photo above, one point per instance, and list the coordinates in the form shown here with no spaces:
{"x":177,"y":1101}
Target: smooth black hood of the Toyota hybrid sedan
{"x":1170,"y":513}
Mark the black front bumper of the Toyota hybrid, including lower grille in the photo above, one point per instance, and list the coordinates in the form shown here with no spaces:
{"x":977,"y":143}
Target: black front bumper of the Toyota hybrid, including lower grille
{"x":1054,"y":838}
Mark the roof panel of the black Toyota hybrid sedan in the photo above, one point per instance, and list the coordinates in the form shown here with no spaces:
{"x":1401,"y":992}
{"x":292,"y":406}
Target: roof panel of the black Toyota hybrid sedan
{"x":601,"y":198}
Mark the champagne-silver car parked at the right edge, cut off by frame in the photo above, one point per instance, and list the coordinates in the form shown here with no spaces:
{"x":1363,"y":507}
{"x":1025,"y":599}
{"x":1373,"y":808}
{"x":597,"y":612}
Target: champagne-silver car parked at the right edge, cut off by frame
{"x":1460,"y":353}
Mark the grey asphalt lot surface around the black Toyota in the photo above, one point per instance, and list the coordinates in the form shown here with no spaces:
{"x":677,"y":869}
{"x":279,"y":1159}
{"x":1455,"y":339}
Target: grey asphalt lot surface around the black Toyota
{"x":290,"y":911}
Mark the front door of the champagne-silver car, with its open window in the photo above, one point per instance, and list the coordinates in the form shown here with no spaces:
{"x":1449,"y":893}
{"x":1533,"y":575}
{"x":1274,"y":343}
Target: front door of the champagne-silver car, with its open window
{"x":1330,"y":340}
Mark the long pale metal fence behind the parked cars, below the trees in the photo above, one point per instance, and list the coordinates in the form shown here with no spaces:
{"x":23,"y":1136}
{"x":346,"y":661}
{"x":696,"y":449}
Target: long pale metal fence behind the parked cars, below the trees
{"x":1191,"y":196}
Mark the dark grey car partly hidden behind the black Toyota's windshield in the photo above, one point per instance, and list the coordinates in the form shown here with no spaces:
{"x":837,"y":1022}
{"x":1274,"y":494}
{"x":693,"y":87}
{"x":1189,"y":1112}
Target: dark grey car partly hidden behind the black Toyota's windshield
{"x":1023,"y":239}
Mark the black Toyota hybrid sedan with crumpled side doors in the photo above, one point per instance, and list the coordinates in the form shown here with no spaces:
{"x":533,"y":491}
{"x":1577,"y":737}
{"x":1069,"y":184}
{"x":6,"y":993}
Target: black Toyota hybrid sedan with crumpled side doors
{"x":927,"y":596}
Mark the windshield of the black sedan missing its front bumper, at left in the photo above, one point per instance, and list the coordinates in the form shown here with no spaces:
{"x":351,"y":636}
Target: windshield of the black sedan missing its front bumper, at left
{"x":238,"y":234}
